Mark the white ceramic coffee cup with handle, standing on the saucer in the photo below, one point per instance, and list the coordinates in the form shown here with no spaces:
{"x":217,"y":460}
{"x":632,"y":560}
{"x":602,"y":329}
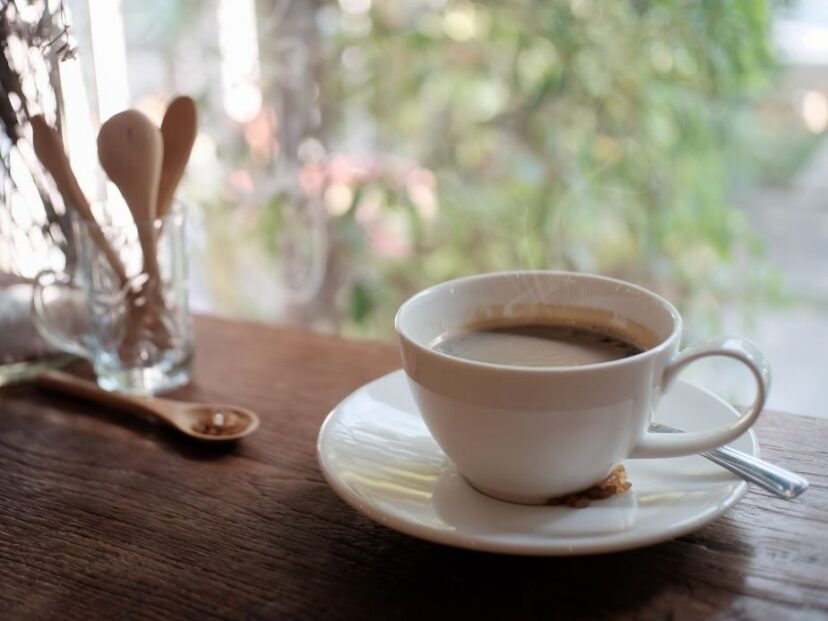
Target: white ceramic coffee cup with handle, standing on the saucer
{"x":530,"y":434}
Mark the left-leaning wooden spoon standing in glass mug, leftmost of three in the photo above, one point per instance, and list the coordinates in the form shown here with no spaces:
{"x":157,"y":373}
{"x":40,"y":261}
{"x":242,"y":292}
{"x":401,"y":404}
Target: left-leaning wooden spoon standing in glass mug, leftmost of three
{"x":48,"y":147}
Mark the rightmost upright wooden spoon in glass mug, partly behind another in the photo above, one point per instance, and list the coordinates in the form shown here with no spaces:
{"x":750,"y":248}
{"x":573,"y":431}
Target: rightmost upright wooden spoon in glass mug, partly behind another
{"x":178,"y":130}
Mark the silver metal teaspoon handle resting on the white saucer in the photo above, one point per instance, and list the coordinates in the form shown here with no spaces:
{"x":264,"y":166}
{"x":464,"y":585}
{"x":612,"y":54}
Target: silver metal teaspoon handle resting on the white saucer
{"x":774,"y":479}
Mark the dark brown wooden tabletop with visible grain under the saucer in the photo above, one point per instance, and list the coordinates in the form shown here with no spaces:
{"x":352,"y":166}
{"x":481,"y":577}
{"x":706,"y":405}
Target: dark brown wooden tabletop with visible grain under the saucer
{"x":107,"y":520}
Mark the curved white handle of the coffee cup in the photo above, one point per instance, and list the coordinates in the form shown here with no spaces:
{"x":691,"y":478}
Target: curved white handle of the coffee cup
{"x":675,"y":445}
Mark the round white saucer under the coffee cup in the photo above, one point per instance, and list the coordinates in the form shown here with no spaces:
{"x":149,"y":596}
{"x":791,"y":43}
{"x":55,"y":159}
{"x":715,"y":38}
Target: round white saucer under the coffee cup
{"x":377,"y":454}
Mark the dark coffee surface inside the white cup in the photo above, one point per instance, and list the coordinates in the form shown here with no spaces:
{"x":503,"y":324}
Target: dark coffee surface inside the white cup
{"x":544,"y":342}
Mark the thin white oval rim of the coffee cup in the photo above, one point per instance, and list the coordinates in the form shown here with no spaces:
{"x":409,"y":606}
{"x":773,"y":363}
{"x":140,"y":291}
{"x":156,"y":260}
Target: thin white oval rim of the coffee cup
{"x":424,"y":349}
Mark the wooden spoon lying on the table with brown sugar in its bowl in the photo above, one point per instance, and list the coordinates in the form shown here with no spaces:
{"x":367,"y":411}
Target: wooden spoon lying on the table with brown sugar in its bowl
{"x":208,"y":421}
